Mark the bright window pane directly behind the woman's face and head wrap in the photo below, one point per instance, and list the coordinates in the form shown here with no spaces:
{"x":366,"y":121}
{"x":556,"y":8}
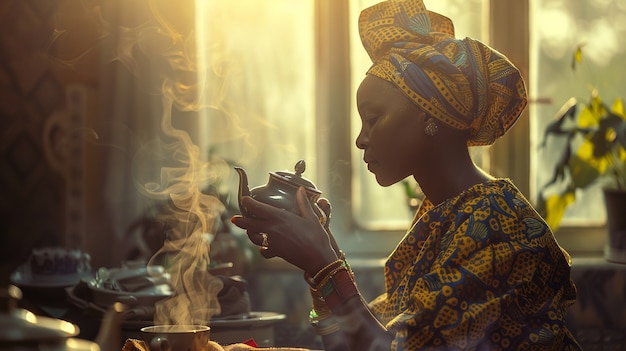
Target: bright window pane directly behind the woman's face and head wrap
{"x":387,"y":208}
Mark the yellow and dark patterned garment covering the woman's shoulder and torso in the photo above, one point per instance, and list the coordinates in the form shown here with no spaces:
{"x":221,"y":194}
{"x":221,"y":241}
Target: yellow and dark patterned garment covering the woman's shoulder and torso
{"x":480,"y":271}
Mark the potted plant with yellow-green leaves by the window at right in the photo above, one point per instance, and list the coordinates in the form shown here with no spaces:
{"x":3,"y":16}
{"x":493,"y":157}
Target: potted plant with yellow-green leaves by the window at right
{"x":594,"y":153}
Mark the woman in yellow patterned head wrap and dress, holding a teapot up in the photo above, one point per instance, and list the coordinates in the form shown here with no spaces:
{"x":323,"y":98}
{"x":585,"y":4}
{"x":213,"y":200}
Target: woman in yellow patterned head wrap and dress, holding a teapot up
{"x":479,"y":268}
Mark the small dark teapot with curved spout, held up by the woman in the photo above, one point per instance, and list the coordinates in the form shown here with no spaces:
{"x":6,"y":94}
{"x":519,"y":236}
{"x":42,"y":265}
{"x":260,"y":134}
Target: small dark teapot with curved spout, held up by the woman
{"x":280,"y":190}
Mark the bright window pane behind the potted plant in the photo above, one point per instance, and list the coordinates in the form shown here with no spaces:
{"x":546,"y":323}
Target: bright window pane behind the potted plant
{"x":557,"y":28}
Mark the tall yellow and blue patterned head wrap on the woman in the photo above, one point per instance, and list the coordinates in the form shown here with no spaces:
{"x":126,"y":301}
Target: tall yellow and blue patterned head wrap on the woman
{"x":463,"y":83}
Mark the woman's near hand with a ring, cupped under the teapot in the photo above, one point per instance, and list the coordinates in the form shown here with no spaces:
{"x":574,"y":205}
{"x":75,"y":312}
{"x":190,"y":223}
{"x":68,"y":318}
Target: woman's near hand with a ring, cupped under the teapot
{"x":301,"y":240}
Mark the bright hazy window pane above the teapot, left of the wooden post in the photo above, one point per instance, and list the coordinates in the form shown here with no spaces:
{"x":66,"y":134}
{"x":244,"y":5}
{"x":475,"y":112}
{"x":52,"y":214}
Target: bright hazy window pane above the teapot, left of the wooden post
{"x":259,"y":63}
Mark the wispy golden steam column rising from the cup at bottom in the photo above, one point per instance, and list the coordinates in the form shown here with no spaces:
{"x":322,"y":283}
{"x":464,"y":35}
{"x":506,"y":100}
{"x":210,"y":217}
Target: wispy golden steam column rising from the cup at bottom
{"x":192,"y":219}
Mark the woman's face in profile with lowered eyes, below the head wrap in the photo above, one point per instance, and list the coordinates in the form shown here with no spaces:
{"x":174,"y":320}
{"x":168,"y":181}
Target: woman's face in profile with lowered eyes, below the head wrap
{"x":392,"y":131}
